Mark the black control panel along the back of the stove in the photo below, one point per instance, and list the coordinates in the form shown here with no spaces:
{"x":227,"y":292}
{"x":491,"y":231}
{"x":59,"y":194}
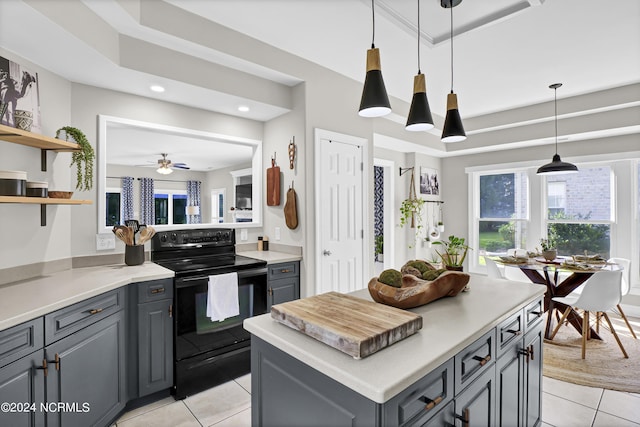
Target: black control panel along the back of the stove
{"x":188,"y":238}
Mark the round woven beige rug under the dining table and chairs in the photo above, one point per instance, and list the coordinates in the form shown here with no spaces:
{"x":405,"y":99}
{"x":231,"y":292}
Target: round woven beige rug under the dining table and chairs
{"x":604,"y":365}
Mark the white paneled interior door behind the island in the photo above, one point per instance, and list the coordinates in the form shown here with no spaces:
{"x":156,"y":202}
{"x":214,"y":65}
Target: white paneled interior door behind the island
{"x":340,"y":215}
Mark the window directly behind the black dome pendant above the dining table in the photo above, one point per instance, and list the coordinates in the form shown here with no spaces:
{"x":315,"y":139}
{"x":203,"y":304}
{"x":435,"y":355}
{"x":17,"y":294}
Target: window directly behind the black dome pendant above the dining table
{"x":584,"y":223}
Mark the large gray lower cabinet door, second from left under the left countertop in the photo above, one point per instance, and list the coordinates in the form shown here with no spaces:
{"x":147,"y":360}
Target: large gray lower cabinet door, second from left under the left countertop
{"x":87,"y":373}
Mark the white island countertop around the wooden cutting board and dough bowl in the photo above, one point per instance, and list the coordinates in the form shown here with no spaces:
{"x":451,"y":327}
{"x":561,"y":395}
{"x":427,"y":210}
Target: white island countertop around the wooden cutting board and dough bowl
{"x":449,"y":325}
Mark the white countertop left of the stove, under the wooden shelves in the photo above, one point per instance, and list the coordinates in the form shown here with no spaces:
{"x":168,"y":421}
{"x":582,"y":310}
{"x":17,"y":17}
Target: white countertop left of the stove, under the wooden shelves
{"x":28,"y":299}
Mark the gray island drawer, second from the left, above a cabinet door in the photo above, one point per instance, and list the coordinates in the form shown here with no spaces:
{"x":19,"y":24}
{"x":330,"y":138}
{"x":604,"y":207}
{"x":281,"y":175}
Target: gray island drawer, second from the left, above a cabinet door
{"x":474,"y":360}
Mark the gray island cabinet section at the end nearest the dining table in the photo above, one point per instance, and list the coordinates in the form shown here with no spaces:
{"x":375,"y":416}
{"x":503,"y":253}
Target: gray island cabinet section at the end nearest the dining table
{"x":519,"y":372}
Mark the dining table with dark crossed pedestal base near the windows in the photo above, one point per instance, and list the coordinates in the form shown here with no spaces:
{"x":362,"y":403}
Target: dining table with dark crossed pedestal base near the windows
{"x":561,"y":276}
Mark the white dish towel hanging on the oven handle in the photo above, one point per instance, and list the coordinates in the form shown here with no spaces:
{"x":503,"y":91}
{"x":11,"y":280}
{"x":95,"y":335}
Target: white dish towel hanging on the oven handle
{"x":222,"y":298}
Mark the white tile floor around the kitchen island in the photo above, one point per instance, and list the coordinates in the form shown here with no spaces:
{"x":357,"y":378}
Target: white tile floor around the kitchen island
{"x":229,"y":405}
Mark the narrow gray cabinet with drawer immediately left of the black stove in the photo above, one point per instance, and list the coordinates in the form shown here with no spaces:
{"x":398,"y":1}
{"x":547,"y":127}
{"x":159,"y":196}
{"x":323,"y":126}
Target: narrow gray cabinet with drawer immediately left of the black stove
{"x":151,"y":337}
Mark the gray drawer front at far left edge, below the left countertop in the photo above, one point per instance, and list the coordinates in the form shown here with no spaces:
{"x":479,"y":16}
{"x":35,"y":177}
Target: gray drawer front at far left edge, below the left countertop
{"x":20,"y":340}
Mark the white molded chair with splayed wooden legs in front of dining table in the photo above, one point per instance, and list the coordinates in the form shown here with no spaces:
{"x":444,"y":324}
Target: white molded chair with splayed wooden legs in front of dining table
{"x":598,"y":296}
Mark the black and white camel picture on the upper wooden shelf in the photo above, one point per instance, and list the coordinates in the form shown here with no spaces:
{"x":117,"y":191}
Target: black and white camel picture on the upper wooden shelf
{"x":19,"y":96}
